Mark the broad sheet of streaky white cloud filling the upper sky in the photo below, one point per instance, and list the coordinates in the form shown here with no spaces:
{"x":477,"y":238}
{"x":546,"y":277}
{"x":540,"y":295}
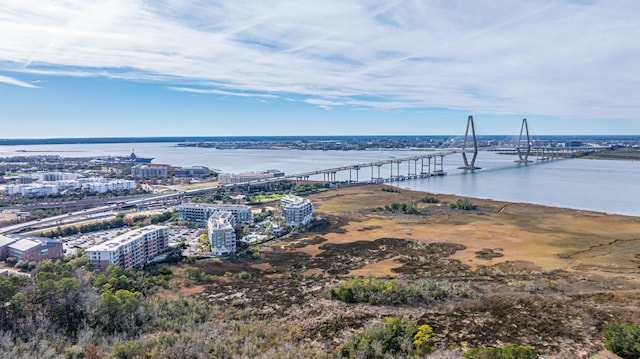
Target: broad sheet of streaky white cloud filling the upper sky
{"x":549,"y":57}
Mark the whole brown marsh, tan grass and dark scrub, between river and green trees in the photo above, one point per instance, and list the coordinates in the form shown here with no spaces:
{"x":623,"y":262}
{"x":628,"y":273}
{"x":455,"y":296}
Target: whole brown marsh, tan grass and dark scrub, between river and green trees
{"x":546,"y":277}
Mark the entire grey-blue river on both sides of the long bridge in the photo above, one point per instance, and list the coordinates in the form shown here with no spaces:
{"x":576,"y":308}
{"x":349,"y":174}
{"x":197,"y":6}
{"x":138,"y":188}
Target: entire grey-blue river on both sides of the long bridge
{"x":597,"y":185}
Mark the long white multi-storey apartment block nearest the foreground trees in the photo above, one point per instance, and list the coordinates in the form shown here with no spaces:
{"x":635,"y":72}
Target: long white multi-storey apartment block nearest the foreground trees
{"x":132,"y":249}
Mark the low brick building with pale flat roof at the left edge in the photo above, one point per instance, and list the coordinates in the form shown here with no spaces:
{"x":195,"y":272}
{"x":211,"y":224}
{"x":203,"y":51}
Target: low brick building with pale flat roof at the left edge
{"x":30,"y":248}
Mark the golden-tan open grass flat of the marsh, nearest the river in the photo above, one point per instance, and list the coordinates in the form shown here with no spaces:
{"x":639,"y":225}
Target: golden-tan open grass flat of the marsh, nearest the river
{"x":551,"y":238}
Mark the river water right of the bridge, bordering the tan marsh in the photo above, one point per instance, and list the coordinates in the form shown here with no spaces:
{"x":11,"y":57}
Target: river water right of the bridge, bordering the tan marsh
{"x":597,"y":185}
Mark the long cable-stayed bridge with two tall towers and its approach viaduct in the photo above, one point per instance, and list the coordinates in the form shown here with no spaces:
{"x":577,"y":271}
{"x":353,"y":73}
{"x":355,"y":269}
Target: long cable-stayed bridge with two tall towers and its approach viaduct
{"x":394,"y":169}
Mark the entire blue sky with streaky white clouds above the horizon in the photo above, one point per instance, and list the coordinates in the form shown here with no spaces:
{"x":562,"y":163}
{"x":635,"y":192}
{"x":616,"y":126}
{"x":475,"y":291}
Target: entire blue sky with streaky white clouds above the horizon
{"x":132,"y":68}
